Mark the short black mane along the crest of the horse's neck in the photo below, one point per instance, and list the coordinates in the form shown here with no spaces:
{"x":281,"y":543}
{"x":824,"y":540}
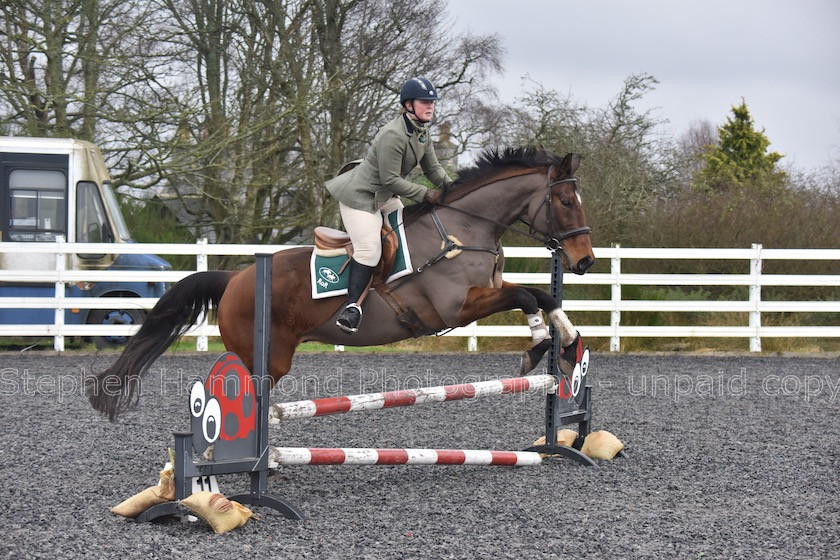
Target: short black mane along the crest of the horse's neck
{"x":491,"y":163}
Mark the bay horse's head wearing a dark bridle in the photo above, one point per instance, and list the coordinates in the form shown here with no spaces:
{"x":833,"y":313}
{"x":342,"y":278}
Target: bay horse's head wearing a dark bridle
{"x":557,"y":213}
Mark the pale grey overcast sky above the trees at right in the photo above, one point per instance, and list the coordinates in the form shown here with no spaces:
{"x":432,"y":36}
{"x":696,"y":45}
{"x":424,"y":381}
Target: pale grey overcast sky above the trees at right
{"x":782,"y":57}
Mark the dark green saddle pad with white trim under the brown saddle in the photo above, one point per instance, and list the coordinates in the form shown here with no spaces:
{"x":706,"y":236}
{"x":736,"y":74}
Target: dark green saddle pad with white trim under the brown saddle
{"x":324,"y":268}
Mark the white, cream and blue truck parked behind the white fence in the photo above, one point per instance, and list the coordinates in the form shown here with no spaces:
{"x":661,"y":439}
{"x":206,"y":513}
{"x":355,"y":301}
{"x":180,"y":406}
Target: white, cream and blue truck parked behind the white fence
{"x":51,"y":187}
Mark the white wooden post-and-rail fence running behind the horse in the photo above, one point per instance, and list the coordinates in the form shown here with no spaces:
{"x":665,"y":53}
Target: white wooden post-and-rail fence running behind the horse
{"x":754,"y":306}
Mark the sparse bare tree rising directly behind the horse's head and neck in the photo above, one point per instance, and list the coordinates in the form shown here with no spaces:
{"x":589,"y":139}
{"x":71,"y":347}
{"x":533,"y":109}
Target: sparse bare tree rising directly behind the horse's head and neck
{"x":628,"y":160}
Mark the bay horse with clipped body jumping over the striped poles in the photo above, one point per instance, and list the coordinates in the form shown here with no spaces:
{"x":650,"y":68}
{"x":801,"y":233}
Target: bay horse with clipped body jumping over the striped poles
{"x":504,"y":187}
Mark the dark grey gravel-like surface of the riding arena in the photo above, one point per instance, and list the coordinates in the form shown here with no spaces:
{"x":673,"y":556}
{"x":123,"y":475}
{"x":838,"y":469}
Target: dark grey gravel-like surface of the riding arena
{"x":728,"y":457}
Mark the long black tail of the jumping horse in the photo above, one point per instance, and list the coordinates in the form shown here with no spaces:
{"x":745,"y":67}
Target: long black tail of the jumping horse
{"x":116,"y":389}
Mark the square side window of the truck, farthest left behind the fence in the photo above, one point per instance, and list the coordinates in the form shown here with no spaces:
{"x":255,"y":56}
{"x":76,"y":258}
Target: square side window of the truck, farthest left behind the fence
{"x":38,"y":204}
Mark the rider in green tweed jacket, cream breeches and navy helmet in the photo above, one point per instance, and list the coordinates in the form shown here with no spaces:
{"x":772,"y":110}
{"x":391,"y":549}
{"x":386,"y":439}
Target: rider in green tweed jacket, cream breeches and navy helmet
{"x":372,"y":190}
